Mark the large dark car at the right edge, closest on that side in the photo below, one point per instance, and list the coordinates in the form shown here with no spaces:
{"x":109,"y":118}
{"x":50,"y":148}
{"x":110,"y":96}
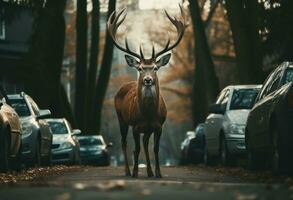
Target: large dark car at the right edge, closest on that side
{"x":269,"y":126}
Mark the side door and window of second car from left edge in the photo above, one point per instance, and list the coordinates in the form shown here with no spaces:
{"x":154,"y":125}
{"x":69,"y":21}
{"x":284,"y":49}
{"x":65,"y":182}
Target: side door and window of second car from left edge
{"x":45,"y":131}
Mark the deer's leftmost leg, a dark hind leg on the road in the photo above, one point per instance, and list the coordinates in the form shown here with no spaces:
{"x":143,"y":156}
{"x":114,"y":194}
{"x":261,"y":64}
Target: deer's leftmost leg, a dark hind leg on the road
{"x":124,"y":131}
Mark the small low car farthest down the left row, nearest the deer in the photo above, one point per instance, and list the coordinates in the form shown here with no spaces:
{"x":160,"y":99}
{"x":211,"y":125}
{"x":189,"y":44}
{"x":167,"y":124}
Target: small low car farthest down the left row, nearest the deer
{"x":94,"y":150}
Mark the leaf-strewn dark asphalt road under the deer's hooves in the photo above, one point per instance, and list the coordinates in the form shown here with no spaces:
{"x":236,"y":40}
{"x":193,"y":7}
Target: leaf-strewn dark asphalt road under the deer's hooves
{"x":178,"y":183}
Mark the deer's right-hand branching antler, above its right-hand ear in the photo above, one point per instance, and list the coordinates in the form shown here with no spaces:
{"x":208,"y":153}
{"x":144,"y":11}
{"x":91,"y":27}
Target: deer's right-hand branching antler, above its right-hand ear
{"x":180,"y":27}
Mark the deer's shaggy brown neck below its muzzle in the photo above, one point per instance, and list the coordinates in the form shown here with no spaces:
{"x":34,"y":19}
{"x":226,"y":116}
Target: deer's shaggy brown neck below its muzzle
{"x":148,"y":99}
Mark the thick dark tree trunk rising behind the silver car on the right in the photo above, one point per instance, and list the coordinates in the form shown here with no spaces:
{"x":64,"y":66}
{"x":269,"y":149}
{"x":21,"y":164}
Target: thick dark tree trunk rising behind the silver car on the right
{"x":246,"y":40}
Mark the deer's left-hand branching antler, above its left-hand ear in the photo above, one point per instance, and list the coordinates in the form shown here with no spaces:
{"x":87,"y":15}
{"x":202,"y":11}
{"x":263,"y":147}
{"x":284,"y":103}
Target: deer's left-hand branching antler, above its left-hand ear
{"x":113,"y":24}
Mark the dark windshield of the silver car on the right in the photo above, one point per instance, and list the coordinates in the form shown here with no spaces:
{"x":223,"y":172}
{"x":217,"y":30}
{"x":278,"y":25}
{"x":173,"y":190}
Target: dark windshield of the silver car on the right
{"x":243,"y":98}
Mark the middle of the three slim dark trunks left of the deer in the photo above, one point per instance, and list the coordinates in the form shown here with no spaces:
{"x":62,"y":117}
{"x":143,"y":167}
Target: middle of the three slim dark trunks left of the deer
{"x":93,"y":65}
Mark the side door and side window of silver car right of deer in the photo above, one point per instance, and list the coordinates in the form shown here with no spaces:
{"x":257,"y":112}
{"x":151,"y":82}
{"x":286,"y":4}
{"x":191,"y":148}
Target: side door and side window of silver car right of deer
{"x":212,"y":124}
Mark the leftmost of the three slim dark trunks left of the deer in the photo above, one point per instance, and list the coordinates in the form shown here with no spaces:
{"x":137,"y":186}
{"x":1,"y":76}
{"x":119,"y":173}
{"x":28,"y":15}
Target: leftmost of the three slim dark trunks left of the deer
{"x":81,"y":62}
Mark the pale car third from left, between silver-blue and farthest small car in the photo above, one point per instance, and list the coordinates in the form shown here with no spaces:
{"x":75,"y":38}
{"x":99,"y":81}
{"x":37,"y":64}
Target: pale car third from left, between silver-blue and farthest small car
{"x":65,"y":148}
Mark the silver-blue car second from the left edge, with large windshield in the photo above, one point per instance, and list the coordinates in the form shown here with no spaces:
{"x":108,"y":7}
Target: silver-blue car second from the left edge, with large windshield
{"x":36,"y":135}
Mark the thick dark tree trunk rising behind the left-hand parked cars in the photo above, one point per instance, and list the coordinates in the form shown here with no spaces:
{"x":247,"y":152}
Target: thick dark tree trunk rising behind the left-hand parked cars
{"x":43,"y":70}
